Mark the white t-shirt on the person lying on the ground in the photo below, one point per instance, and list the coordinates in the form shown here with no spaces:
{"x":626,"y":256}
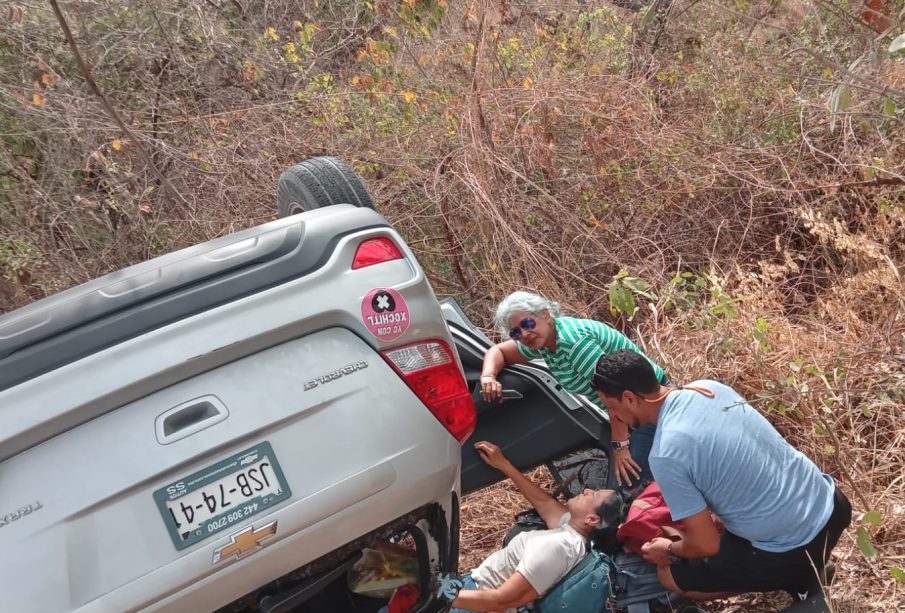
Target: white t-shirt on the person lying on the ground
{"x":543,"y":557}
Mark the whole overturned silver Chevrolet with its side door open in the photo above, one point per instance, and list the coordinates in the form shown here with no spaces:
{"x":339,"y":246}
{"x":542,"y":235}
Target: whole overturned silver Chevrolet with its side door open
{"x":231,"y":425}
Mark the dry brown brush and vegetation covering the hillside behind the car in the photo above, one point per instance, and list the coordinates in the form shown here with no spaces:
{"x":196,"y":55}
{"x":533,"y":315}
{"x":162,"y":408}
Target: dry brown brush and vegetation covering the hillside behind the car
{"x":733,"y":170}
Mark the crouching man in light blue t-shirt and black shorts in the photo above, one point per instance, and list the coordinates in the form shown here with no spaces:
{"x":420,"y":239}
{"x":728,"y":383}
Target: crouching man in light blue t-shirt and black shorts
{"x":714,"y":454}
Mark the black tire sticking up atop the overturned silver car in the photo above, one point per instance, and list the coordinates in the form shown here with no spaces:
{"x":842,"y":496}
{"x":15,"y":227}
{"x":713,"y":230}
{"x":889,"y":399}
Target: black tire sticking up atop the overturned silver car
{"x":319,"y":182}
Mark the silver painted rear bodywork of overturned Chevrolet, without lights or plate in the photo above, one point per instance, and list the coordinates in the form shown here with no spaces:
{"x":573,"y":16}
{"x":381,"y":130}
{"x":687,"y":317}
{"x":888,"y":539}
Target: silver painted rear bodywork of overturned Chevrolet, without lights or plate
{"x":83,"y":437}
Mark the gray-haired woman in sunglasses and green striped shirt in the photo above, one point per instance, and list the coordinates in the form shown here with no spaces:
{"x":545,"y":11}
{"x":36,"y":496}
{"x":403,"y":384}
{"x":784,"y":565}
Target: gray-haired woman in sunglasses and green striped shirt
{"x":571,"y":348}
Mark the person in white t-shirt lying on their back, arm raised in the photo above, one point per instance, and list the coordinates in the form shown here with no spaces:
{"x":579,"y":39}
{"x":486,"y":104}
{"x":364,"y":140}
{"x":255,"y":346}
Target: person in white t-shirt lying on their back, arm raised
{"x":533,"y":562}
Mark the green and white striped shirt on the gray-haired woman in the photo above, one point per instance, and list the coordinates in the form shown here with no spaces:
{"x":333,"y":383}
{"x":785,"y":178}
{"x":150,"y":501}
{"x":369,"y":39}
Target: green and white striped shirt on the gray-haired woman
{"x":579,"y":344}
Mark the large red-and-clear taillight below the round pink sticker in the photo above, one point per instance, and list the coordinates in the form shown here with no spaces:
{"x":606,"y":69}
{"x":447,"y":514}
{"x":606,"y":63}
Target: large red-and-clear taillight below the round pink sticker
{"x":430,"y":370}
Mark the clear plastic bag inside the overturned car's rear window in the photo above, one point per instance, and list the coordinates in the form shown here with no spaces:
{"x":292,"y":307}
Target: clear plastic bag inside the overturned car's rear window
{"x":382,"y":569}
